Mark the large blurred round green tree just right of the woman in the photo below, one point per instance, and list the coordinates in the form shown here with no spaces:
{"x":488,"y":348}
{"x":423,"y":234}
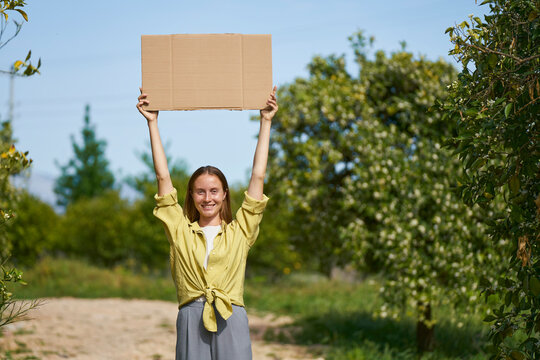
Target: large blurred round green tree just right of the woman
{"x":361,"y":162}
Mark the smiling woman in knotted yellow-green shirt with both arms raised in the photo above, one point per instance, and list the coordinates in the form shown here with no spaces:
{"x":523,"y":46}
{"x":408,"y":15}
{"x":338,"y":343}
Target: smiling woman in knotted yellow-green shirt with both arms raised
{"x":208,"y":249}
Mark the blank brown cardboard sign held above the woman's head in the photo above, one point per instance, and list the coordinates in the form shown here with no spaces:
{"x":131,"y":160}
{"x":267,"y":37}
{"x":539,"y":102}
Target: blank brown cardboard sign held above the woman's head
{"x":206,"y":71}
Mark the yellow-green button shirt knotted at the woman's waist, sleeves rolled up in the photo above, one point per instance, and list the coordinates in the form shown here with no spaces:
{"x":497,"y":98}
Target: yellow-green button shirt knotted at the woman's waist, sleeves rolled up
{"x":222,"y":283}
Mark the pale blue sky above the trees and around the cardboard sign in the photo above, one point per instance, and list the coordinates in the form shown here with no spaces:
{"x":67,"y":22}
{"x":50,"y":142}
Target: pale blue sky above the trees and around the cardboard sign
{"x":90,"y":52}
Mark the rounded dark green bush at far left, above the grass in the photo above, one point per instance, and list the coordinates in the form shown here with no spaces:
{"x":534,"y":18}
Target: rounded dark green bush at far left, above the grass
{"x":32,"y":231}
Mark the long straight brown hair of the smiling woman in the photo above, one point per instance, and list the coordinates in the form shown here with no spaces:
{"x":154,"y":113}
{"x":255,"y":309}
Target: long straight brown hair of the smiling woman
{"x":189,"y":205}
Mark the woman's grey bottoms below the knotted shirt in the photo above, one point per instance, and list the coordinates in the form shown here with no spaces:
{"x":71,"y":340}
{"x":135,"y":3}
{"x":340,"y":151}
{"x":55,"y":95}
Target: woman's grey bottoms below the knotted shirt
{"x":194,"y":342}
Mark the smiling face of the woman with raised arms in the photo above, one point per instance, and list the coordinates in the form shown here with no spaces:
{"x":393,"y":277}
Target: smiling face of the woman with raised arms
{"x":208,"y":196}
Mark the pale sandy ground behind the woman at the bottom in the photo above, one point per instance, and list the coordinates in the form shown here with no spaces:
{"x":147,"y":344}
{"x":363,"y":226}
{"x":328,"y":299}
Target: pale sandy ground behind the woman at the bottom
{"x":116,"y":329}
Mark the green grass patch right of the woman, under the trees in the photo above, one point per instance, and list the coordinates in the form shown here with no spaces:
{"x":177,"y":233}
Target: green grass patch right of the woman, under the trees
{"x":340,"y":315}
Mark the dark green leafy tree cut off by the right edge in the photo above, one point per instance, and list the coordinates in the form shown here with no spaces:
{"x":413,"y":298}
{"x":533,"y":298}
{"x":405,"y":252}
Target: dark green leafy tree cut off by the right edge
{"x":495,"y":104}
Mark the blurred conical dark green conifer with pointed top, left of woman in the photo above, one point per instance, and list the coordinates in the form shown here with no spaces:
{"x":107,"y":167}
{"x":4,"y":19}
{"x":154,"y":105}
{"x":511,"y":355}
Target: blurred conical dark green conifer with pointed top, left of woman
{"x":87,"y":174}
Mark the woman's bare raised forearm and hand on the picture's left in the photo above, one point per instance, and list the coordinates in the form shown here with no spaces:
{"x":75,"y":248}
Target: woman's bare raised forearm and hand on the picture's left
{"x":158,"y":154}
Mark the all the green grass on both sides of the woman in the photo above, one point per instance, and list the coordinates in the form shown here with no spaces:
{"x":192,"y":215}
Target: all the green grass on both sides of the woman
{"x":334,"y":314}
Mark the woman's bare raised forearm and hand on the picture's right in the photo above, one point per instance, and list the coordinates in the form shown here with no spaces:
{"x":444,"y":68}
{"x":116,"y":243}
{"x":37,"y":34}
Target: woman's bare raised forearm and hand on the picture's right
{"x":256,"y":183}
